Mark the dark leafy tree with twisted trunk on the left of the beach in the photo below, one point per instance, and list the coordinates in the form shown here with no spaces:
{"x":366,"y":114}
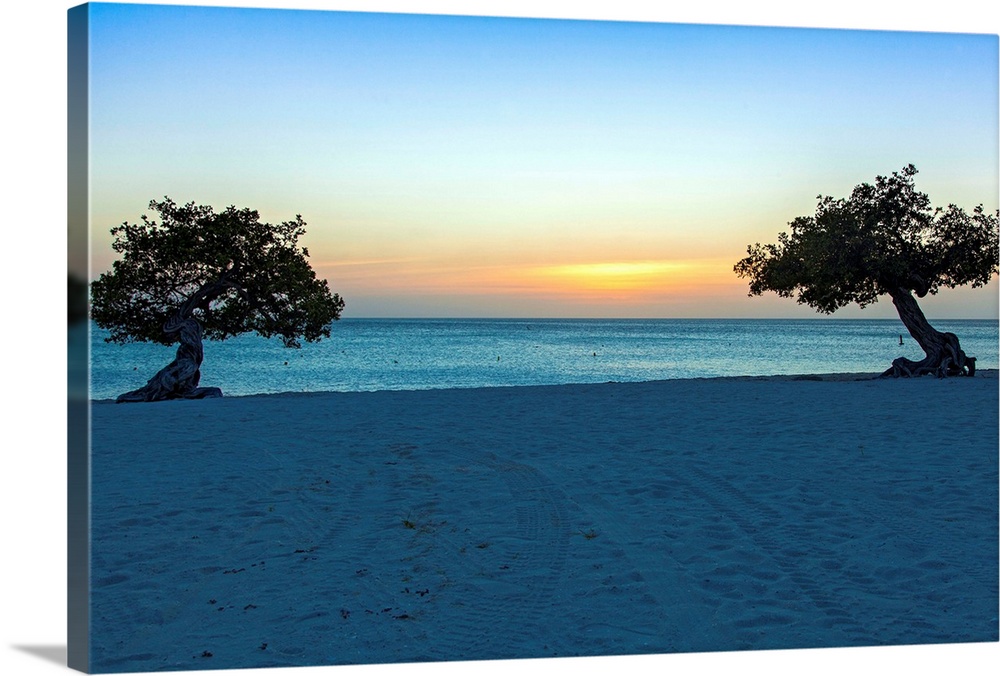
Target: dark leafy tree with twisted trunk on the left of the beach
{"x":198,"y":273}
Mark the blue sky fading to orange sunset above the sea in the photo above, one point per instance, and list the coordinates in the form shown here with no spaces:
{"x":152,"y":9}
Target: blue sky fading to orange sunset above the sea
{"x":525,"y":167}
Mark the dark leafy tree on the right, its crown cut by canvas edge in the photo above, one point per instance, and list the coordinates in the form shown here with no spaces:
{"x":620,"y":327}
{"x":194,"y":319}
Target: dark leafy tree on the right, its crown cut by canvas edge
{"x":885,"y":239}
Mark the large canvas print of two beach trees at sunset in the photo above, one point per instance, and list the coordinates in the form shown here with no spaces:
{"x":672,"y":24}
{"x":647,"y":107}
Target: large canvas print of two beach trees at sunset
{"x":406,"y":338}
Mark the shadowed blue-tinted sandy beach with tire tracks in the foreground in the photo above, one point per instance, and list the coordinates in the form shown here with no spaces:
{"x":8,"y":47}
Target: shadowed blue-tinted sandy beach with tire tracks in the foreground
{"x":697,"y":515}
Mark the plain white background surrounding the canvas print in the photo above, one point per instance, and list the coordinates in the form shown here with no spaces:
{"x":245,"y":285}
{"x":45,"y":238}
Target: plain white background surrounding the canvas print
{"x":33,"y":216}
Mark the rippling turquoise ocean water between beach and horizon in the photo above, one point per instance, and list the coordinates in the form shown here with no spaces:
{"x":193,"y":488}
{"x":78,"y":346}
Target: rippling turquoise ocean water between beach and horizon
{"x":412,"y":354}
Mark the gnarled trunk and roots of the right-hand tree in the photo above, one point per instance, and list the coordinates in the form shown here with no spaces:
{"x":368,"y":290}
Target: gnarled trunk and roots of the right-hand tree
{"x":944,"y":356}
